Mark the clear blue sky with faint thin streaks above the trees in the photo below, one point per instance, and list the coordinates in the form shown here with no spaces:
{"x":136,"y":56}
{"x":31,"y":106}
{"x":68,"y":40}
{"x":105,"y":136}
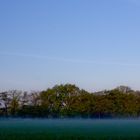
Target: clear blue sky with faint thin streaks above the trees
{"x":94,"y":44}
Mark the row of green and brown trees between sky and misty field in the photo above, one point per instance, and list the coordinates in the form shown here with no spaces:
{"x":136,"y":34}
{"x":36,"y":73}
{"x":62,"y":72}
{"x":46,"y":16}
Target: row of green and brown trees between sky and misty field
{"x":70,"y":101}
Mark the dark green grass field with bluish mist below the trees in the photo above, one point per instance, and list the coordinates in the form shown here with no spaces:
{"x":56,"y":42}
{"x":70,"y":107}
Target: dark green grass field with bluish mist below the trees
{"x":69,"y":129}
